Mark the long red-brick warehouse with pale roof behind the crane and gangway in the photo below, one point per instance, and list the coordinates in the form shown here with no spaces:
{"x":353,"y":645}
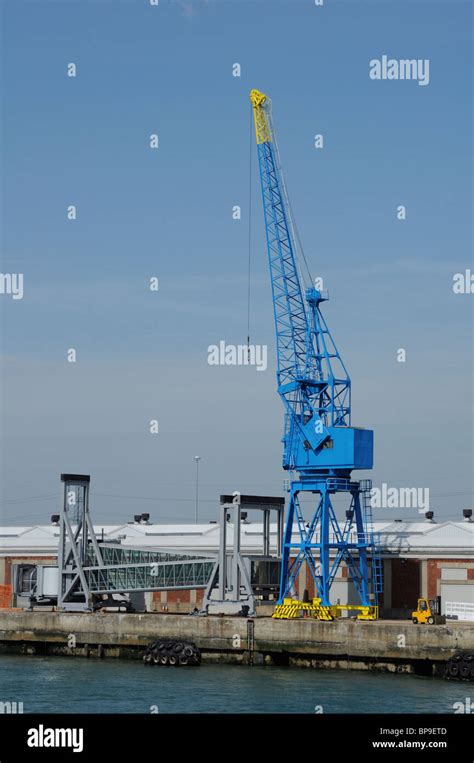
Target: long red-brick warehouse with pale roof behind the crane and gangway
{"x":419,"y":559}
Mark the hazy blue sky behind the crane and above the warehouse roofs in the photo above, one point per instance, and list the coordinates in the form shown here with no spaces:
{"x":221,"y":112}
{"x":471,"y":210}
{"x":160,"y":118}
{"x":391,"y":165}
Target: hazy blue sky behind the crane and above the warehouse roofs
{"x":168,"y":213}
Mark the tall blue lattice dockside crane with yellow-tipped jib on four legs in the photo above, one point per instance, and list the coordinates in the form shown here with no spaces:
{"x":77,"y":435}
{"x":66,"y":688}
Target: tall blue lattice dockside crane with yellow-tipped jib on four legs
{"x":320,"y":446}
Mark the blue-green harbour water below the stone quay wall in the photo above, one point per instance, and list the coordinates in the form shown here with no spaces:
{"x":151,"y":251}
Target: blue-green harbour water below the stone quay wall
{"x":74,"y":685}
